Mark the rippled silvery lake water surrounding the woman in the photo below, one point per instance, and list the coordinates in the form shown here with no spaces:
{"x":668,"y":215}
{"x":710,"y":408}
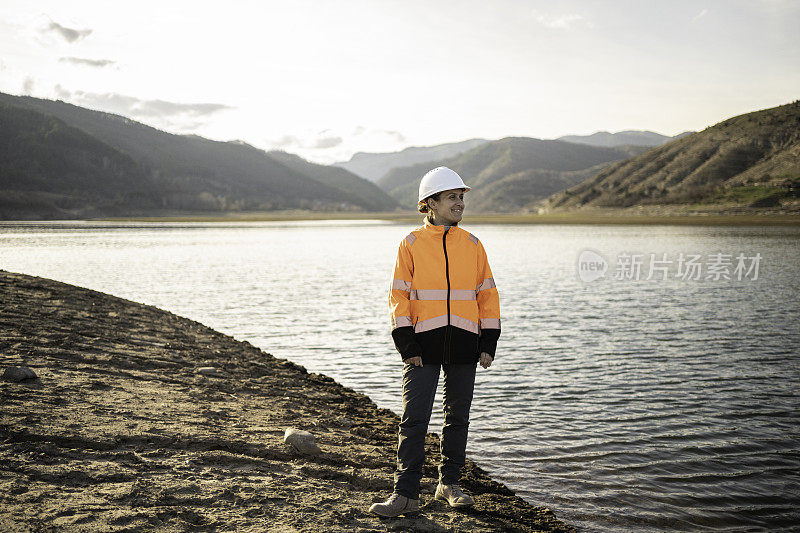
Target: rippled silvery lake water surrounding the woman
{"x":622,"y":404}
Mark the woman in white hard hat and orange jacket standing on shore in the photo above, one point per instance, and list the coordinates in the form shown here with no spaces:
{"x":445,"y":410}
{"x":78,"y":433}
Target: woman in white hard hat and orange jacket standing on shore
{"x":445,"y":317}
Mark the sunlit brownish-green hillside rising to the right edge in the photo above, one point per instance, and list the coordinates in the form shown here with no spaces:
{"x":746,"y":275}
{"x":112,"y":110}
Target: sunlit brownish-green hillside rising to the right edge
{"x":748,"y":160}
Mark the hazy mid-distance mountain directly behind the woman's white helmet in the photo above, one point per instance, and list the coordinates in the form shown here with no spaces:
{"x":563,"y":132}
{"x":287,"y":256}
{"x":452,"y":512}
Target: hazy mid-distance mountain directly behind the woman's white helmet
{"x":511,"y":174}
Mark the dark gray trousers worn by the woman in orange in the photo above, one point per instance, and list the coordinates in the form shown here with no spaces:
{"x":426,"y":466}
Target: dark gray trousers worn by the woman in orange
{"x":419,"y":389}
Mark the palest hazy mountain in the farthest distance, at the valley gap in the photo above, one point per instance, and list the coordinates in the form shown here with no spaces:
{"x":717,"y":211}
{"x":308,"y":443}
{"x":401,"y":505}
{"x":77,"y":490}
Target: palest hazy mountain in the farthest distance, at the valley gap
{"x":372,"y":166}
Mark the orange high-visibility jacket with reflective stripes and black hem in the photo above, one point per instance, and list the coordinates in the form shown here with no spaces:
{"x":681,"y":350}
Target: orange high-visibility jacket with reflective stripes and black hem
{"x":443,"y":301}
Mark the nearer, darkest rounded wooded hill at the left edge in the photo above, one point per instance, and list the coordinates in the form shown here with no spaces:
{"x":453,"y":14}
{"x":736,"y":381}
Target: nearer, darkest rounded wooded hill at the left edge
{"x":49,"y":169}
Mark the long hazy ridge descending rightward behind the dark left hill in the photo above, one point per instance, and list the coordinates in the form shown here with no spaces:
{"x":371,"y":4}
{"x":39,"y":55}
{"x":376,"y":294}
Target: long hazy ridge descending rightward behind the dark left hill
{"x":191,"y":173}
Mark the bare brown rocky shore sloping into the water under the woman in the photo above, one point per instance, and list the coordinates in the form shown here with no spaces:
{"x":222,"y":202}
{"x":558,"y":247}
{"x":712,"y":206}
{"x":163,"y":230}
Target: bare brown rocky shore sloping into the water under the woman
{"x":141,"y":420}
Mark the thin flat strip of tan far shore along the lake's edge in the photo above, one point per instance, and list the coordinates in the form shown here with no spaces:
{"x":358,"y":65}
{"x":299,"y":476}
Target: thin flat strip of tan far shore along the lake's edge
{"x":599,"y":216}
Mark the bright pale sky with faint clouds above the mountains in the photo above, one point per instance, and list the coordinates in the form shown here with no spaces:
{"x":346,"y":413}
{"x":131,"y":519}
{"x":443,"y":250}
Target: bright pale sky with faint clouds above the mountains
{"x":327,"y":79}
